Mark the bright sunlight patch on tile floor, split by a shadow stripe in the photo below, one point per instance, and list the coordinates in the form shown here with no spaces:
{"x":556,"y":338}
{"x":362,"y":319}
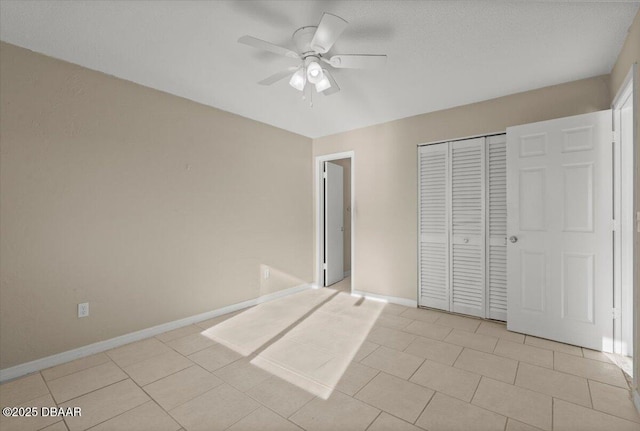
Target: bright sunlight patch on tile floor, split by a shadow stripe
{"x":307,"y":339}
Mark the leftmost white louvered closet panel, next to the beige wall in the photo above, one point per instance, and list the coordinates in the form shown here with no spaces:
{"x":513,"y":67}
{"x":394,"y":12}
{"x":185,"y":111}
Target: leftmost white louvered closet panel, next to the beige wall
{"x":433,"y":207}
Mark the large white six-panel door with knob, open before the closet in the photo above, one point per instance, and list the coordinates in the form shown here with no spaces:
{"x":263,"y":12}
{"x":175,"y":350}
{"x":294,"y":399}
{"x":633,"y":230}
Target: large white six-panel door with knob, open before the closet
{"x":559,"y":200}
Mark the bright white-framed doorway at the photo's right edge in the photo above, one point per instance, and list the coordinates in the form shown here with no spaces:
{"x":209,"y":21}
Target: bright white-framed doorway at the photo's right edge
{"x":624,"y":235}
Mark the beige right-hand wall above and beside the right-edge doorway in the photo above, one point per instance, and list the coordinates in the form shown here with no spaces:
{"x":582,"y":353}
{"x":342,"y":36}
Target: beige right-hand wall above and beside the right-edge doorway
{"x":630,"y":54}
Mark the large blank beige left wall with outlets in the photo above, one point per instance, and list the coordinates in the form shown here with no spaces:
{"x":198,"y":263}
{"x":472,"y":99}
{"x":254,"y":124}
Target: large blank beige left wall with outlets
{"x":148,"y":206}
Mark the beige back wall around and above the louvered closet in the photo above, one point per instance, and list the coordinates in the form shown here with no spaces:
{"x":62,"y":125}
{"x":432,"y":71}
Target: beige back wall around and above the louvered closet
{"x":385,"y":206}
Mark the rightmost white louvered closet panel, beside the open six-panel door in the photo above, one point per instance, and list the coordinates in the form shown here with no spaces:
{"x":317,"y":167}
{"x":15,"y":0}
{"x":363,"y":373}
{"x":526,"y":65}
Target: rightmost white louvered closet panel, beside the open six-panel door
{"x":496,"y":277}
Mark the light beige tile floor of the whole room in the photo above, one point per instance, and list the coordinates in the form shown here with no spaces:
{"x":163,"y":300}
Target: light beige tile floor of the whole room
{"x":322,"y":360}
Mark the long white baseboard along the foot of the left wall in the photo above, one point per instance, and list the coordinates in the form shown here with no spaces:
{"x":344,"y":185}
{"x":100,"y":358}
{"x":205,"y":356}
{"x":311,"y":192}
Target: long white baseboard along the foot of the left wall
{"x":60,"y":358}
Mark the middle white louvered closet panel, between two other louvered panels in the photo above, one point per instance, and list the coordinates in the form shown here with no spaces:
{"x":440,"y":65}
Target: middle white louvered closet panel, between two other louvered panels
{"x":467,"y":218}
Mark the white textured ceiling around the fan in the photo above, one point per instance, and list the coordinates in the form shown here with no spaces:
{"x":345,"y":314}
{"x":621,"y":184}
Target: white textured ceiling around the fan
{"x":440,"y":54}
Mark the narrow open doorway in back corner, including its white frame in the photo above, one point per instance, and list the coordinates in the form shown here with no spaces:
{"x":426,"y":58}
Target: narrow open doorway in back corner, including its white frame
{"x":334,"y":220}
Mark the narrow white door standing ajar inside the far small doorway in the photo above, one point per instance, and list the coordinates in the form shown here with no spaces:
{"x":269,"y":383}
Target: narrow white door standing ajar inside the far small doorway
{"x":333,"y":224}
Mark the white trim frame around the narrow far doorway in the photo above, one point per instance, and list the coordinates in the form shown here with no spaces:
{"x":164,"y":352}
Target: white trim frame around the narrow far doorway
{"x":318,"y":186}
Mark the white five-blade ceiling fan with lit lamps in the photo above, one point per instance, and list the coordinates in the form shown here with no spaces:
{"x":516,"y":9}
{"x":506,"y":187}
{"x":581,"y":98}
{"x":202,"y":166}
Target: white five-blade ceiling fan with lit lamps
{"x":312,"y":44}
